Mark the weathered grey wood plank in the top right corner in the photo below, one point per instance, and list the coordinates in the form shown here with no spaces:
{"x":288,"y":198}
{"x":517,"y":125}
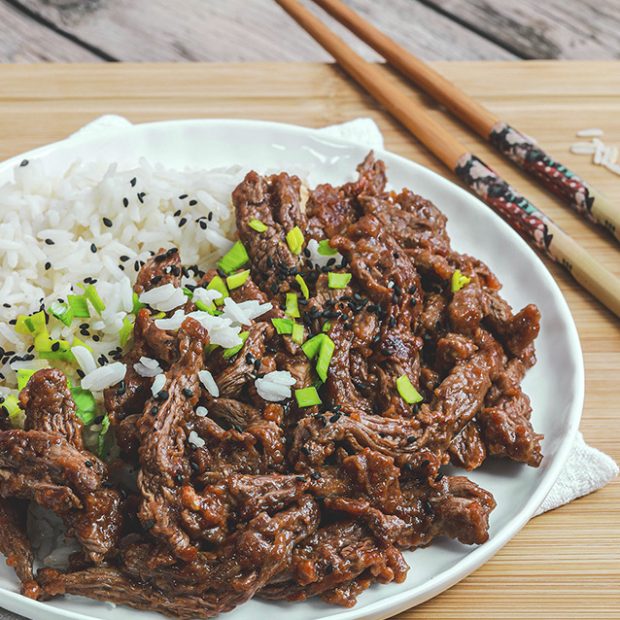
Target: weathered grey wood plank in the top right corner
{"x":550,"y":29}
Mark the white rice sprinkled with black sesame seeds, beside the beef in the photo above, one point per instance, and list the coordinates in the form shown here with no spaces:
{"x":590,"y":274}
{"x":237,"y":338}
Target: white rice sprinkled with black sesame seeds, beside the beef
{"x":97,"y":221}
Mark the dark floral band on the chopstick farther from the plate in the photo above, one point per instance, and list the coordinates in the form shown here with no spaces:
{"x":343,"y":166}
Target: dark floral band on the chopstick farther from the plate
{"x":524,"y":151}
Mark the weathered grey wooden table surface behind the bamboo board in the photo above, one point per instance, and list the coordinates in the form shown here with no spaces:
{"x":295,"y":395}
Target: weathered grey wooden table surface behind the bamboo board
{"x":253,"y":30}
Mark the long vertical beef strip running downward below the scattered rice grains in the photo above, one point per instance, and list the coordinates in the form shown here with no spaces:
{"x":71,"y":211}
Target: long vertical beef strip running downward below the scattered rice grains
{"x":164,"y":442}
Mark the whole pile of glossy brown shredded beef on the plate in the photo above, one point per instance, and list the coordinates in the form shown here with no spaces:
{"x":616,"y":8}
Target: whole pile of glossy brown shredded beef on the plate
{"x":237,"y":496}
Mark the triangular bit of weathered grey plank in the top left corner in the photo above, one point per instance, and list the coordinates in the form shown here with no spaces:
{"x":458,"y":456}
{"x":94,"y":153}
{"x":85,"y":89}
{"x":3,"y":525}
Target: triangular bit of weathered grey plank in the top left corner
{"x":23,"y":40}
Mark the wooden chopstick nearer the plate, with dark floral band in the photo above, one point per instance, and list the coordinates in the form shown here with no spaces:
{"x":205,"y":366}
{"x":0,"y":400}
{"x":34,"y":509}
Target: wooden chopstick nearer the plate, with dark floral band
{"x":521,"y":214}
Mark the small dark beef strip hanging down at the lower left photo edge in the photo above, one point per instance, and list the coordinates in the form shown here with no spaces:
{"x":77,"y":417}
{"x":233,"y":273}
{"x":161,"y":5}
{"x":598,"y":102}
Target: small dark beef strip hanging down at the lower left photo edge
{"x":15,"y":545}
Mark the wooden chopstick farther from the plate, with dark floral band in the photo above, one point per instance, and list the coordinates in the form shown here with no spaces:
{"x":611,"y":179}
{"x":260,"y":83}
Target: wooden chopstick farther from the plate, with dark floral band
{"x":518,"y":147}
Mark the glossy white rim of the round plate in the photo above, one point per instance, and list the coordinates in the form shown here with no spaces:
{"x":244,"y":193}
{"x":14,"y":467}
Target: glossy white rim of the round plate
{"x":398,"y":601}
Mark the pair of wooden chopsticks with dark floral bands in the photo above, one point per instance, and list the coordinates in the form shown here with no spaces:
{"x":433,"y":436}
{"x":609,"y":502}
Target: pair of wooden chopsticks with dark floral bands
{"x":520,"y":213}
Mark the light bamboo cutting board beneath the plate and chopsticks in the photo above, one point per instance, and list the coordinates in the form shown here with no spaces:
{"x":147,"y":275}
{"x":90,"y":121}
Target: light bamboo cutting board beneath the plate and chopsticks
{"x":564,"y":564}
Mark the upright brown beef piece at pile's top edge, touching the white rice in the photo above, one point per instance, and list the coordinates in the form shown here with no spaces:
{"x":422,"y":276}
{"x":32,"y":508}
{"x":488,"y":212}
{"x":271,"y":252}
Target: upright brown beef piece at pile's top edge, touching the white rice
{"x":274,"y":201}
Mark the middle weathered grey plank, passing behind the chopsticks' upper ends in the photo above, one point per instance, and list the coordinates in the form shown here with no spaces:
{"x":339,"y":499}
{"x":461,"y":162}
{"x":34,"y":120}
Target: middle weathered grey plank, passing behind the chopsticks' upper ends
{"x":248,"y":30}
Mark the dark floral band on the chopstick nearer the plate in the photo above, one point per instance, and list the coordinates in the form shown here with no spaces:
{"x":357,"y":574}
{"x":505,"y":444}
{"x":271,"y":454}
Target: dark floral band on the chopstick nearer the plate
{"x":519,"y":212}
